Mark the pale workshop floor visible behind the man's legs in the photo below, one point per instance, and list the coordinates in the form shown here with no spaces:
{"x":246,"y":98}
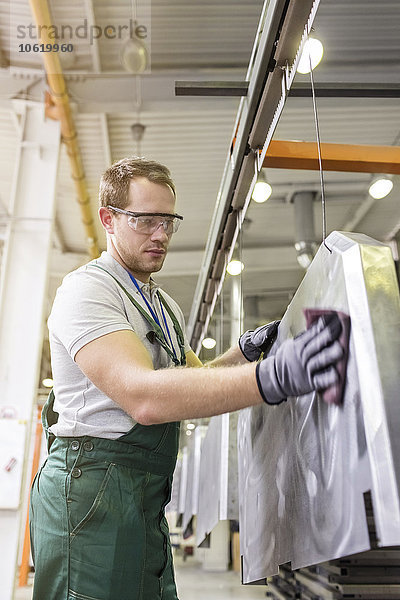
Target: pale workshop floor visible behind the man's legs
{"x":195,"y":584}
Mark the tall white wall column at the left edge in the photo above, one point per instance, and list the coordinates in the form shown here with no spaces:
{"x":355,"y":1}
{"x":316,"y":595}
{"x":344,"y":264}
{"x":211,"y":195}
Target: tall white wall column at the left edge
{"x":24,"y":277}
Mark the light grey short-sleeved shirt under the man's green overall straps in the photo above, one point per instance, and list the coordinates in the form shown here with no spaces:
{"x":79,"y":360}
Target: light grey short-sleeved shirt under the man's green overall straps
{"x":89,"y":304}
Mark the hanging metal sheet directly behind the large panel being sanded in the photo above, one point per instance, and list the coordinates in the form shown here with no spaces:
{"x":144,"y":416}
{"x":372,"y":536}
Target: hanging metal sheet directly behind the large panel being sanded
{"x":218,"y":491}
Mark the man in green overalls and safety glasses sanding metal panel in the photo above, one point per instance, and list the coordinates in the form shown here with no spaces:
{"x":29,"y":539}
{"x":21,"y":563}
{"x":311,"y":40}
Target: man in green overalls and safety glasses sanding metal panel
{"x":97,"y":506}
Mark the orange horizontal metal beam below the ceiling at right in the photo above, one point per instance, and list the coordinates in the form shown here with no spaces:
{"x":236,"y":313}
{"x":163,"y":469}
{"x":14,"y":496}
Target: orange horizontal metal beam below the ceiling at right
{"x":335,"y":157}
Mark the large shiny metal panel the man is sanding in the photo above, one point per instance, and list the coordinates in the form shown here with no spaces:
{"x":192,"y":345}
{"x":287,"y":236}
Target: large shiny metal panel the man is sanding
{"x":304,"y":465}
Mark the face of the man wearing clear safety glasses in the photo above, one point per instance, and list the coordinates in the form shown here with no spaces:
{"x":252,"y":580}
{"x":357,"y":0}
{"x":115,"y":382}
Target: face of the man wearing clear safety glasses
{"x":143,"y":254}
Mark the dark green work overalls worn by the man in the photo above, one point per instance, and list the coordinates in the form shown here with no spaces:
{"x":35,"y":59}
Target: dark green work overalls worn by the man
{"x":98,"y":529}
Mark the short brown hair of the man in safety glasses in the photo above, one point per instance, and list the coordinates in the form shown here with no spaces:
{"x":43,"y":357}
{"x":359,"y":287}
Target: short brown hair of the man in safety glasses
{"x":114,"y":184}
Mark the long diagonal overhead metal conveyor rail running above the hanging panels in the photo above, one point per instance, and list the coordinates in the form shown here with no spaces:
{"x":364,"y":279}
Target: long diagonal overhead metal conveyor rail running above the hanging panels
{"x":282,"y":31}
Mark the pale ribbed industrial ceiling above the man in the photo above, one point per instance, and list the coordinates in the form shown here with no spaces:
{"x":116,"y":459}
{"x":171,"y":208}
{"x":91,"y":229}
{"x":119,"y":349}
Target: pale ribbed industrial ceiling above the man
{"x":192,"y":135}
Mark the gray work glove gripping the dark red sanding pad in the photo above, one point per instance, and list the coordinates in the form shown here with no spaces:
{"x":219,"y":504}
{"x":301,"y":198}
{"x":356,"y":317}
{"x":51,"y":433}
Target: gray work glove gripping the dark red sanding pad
{"x":302,"y":364}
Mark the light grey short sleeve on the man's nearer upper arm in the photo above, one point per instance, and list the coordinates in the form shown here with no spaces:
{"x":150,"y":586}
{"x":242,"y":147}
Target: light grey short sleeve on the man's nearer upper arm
{"x":87,"y":306}
